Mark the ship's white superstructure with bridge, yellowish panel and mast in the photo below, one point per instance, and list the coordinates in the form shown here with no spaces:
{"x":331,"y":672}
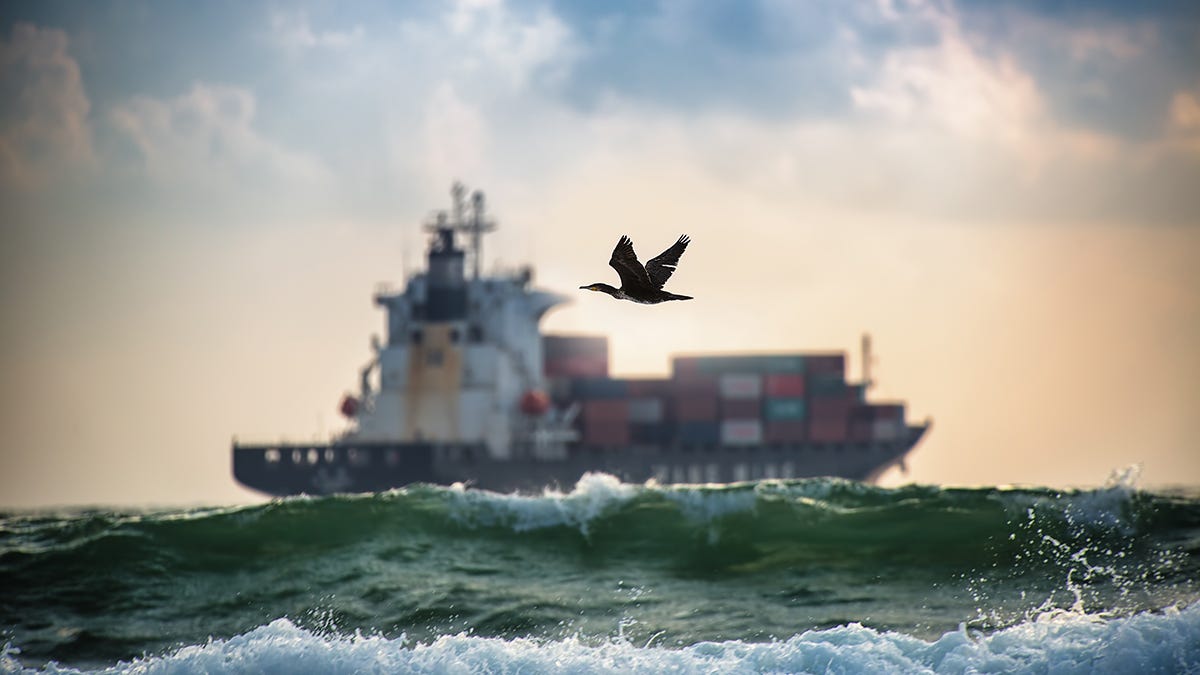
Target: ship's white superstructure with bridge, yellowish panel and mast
{"x":460,"y":350}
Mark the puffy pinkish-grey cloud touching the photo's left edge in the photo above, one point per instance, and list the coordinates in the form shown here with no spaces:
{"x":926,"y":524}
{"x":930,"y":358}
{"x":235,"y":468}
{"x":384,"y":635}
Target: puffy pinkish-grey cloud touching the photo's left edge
{"x":44,"y":130}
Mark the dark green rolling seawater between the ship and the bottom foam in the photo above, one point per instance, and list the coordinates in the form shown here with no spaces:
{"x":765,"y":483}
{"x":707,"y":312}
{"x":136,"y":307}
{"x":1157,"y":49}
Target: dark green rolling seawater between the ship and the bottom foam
{"x":650,"y":566}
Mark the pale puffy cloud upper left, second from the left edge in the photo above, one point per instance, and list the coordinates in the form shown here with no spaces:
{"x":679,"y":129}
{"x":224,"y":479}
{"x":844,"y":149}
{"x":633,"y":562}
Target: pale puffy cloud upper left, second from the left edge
{"x":208,"y":136}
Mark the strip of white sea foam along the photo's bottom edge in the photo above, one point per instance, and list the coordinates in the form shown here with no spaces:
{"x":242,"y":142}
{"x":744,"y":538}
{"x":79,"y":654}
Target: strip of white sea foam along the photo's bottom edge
{"x":1167,"y":642}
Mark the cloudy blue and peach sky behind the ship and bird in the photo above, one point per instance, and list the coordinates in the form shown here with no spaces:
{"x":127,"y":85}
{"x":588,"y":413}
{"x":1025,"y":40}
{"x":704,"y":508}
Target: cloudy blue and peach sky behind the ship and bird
{"x":199,"y":200}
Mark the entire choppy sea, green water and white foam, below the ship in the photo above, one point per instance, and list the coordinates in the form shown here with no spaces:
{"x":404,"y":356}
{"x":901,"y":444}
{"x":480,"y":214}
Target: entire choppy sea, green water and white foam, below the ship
{"x":818,"y":576}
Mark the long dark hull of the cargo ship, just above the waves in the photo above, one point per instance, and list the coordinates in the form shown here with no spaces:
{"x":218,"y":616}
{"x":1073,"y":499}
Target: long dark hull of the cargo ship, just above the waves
{"x":370,"y":468}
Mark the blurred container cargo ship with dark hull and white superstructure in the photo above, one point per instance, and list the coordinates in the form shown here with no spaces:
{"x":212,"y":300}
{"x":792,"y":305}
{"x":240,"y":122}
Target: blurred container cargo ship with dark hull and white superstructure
{"x":466,"y":390}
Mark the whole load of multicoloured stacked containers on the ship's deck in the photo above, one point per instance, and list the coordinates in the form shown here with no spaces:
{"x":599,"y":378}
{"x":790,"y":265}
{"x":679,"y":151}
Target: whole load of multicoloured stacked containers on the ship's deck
{"x":718,"y":401}
